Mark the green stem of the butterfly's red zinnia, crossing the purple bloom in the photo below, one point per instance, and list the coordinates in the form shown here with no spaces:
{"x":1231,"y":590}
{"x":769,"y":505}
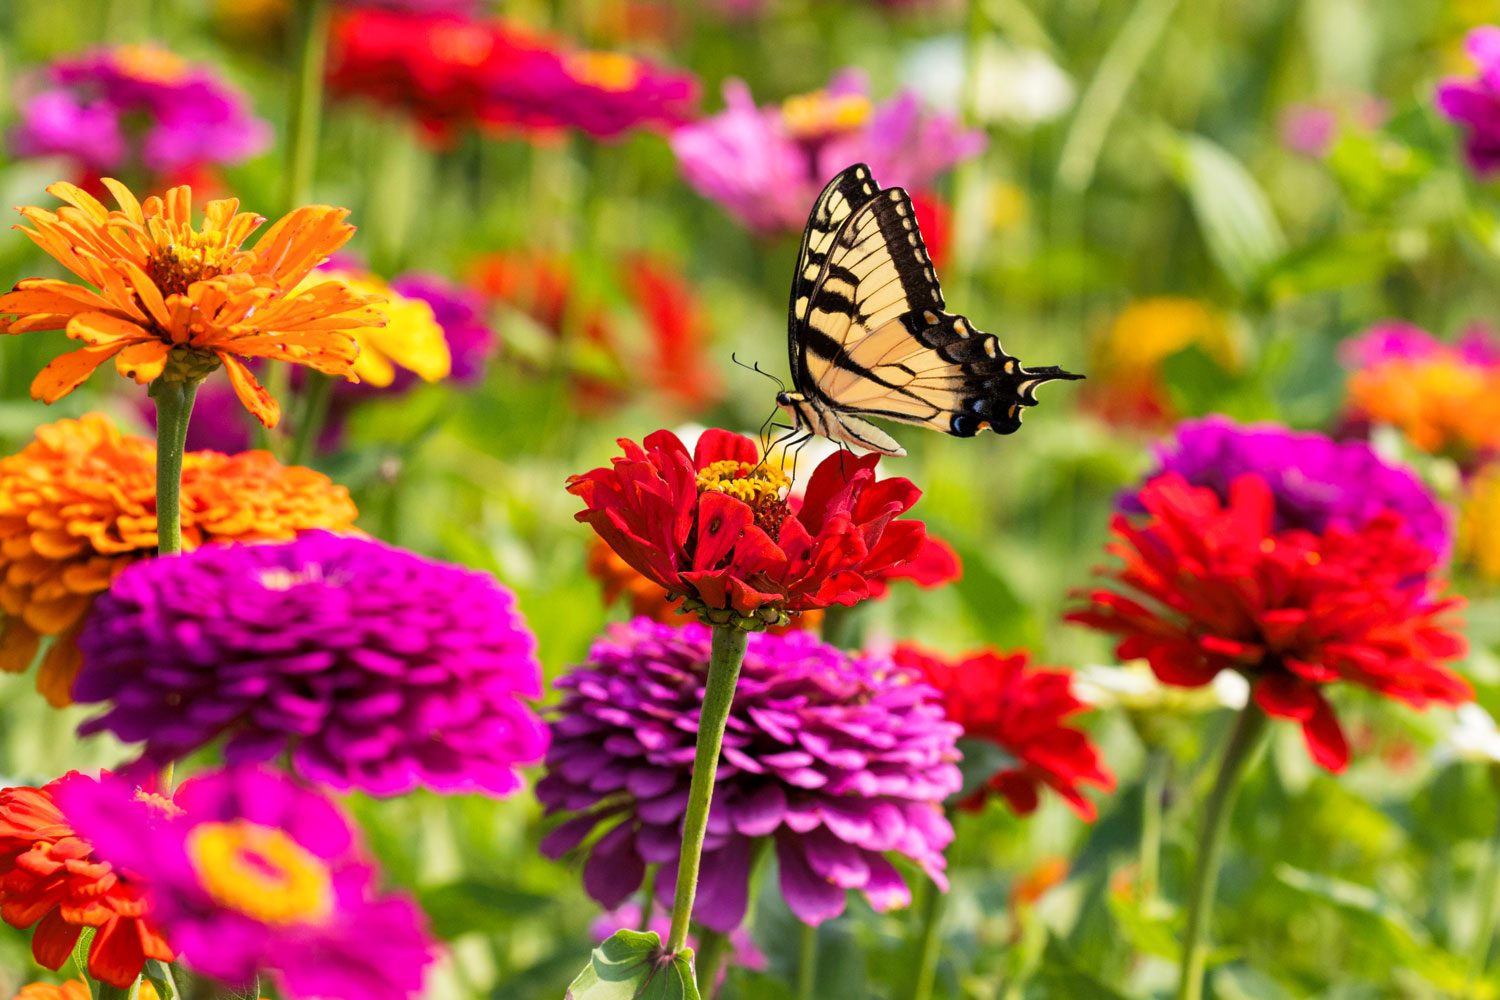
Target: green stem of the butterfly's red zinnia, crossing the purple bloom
{"x":719,"y":693}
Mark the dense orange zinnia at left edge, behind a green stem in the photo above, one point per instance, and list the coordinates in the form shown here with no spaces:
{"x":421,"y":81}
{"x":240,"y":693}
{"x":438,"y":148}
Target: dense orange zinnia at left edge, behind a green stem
{"x":79,"y":506}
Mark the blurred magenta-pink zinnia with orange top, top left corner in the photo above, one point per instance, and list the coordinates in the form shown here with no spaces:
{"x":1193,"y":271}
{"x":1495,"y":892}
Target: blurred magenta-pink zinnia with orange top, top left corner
{"x":131,"y":107}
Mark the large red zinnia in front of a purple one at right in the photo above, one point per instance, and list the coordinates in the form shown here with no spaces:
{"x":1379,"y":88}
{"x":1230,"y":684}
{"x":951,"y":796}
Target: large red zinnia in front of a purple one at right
{"x":1211,"y":585}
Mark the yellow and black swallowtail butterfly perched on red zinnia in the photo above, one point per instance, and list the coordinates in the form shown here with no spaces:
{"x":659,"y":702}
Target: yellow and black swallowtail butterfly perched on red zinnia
{"x":869,"y":337}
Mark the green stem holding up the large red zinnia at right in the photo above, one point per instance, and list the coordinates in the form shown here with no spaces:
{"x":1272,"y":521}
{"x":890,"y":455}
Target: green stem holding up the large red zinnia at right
{"x":1244,"y":741}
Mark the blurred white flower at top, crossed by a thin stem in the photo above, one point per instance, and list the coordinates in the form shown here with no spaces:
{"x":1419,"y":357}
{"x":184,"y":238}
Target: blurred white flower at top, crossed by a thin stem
{"x":1022,"y":86}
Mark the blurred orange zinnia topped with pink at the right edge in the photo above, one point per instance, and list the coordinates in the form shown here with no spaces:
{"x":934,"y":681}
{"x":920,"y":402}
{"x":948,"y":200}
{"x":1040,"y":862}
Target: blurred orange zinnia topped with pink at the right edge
{"x":1444,"y":398}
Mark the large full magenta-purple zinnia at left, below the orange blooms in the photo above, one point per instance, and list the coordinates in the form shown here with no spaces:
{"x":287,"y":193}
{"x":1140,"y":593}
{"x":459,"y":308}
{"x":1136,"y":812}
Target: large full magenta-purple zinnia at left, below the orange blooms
{"x":370,"y":666}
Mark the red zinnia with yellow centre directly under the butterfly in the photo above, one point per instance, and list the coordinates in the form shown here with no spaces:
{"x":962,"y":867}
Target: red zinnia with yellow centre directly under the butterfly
{"x":715,"y":525}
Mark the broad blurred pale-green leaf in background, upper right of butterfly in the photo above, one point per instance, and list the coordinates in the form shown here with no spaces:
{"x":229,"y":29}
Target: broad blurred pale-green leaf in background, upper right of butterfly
{"x":1234,"y":215}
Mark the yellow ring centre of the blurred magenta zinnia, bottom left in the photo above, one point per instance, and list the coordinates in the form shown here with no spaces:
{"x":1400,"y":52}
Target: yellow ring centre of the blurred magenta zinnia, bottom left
{"x":262,"y":873}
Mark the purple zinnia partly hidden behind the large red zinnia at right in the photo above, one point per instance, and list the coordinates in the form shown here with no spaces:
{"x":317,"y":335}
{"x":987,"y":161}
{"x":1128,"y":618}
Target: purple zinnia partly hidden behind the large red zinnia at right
{"x":1318,"y":484}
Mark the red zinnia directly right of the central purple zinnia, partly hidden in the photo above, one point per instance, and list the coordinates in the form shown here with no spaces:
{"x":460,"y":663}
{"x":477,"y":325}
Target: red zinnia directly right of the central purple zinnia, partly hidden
{"x":1003,"y":699}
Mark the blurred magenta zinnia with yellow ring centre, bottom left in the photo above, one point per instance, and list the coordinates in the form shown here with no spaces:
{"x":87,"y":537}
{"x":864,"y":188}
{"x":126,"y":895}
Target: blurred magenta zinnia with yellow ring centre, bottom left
{"x":256,"y":875}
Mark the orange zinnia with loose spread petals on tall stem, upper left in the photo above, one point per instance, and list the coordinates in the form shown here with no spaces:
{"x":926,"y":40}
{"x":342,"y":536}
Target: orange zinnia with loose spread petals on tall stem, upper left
{"x":176,"y":299}
